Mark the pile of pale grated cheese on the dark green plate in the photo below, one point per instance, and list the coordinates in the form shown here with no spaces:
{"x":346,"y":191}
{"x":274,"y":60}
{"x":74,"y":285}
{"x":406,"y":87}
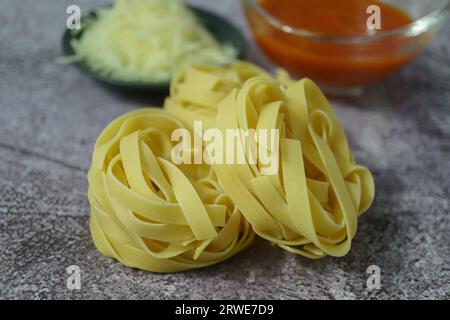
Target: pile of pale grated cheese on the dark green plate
{"x":147,"y":41}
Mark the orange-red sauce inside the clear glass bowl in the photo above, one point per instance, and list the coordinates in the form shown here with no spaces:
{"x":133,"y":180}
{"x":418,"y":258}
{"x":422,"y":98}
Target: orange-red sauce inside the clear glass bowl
{"x":330,"y":62}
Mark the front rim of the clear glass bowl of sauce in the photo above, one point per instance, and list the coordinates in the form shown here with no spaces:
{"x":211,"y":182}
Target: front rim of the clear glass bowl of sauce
{"x":415,"y":28}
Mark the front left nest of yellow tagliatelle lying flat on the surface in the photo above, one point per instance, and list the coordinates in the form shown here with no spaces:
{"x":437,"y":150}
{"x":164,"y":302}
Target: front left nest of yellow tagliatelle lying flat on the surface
{"x":151,"y":214}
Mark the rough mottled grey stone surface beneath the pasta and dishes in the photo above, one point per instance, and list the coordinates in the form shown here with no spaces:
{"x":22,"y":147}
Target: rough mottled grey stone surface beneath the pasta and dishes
{"x":50,"y":116}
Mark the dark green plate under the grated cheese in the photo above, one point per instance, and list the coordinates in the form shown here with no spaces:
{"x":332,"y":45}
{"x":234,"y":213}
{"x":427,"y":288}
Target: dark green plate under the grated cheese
{"x":222,"y":30}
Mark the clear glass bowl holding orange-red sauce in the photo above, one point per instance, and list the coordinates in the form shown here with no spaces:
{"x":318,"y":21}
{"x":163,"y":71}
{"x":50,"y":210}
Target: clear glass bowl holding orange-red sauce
{"x":340,"y":63}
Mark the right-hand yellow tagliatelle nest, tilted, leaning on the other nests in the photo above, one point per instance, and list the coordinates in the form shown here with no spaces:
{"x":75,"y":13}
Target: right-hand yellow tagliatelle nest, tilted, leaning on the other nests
{"x":310,"y":207}
